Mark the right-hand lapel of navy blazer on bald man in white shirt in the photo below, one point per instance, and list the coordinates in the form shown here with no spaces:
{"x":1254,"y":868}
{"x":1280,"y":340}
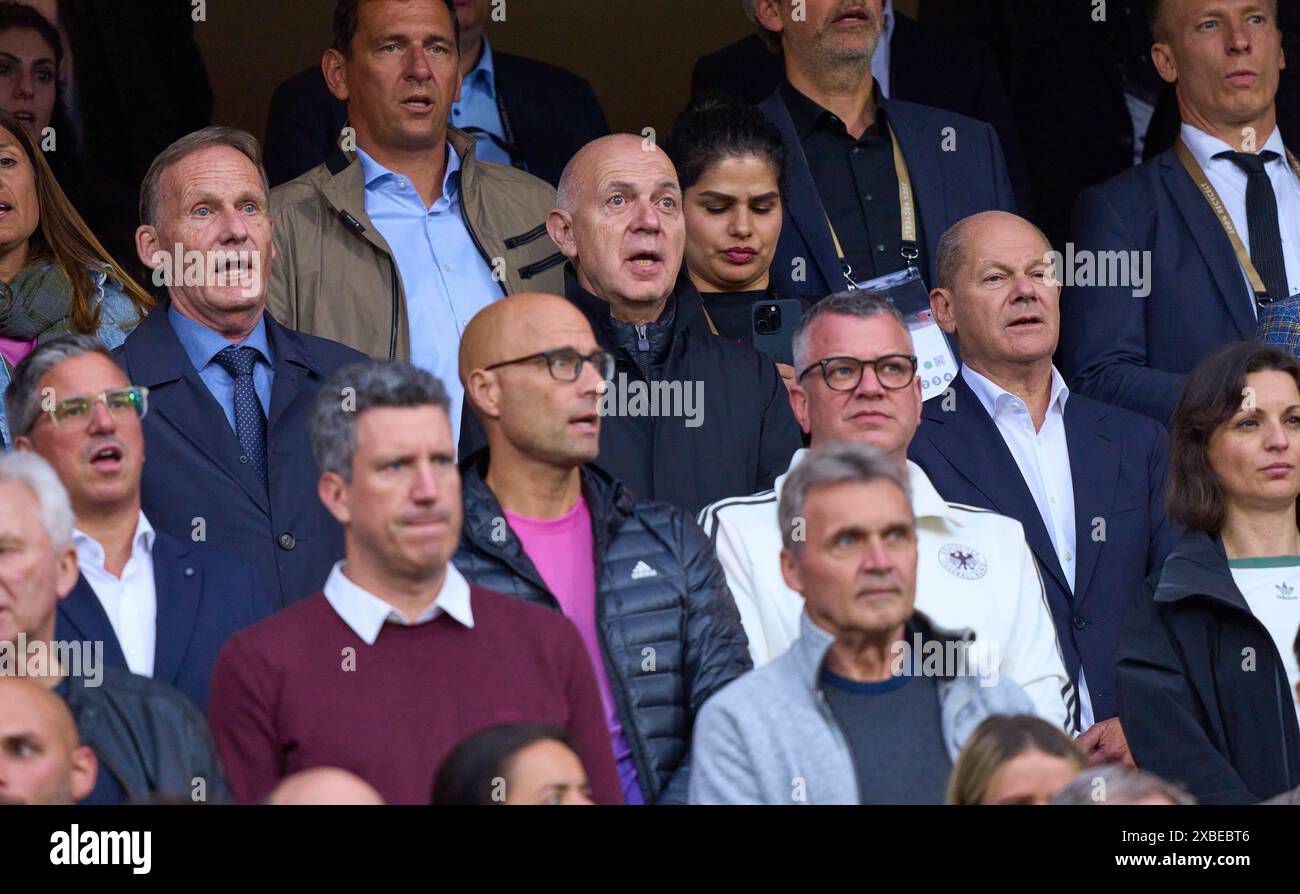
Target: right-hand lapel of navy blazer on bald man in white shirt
{"x":1094,"y":471}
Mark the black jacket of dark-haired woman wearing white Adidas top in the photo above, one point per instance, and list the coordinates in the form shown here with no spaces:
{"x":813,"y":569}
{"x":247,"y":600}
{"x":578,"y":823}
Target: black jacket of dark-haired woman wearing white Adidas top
{"x":1203,"y":693}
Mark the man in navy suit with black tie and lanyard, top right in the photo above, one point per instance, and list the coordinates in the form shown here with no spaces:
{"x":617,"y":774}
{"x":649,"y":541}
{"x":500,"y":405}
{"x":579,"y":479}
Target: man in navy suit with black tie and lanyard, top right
{"x":1133,"y":344}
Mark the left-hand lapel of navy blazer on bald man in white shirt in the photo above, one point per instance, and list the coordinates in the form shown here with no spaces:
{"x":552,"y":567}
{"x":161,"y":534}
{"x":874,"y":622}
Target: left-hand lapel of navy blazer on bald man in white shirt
{"x":970,"y":441}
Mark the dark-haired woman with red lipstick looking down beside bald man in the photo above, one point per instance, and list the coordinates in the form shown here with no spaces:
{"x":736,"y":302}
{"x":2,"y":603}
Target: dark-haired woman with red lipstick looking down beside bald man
{"x":731,"y":164}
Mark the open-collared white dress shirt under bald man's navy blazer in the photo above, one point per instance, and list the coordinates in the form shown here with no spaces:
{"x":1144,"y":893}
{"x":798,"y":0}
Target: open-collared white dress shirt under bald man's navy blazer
{"x":1043,"y":458}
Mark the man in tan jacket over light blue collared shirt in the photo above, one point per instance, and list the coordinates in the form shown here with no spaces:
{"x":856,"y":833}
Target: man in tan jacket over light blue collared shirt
{"x":396,"y":242}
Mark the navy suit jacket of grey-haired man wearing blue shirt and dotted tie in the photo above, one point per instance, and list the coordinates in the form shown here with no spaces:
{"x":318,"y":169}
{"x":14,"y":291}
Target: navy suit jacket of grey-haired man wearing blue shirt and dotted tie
{"x":194,"y":478}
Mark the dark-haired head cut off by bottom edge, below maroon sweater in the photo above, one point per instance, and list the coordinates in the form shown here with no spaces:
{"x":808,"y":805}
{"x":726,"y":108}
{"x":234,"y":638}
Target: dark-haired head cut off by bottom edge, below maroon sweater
{"x":513,"y":765}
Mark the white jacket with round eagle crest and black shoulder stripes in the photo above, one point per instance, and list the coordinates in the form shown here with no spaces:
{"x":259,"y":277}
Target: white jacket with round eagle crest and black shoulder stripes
{"x":974,"y":571}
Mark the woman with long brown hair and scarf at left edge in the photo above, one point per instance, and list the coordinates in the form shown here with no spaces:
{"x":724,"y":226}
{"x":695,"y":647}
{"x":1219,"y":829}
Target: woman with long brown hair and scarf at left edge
{"x":55,"y":276}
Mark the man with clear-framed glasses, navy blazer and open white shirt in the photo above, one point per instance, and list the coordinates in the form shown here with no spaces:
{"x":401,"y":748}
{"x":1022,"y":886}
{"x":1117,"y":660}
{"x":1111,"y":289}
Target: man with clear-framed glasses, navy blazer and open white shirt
{"x":163,"y":607}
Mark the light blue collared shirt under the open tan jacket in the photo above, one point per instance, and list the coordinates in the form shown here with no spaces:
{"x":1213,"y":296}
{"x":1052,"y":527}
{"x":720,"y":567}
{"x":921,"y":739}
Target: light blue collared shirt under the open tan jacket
{"x":445,"y":279}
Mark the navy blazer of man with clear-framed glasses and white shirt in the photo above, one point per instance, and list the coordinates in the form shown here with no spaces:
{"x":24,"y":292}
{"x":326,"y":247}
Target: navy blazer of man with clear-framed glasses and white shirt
{"x":203,"y":597}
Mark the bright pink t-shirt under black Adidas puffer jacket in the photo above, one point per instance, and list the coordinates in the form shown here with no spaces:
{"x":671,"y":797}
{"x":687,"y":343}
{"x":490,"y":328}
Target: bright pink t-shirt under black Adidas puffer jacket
{"x":564,"y":553}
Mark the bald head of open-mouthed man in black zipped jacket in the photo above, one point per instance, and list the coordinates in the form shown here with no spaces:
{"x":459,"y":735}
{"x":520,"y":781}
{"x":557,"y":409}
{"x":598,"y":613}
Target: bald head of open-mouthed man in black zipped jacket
{"x":619,"y":222}
